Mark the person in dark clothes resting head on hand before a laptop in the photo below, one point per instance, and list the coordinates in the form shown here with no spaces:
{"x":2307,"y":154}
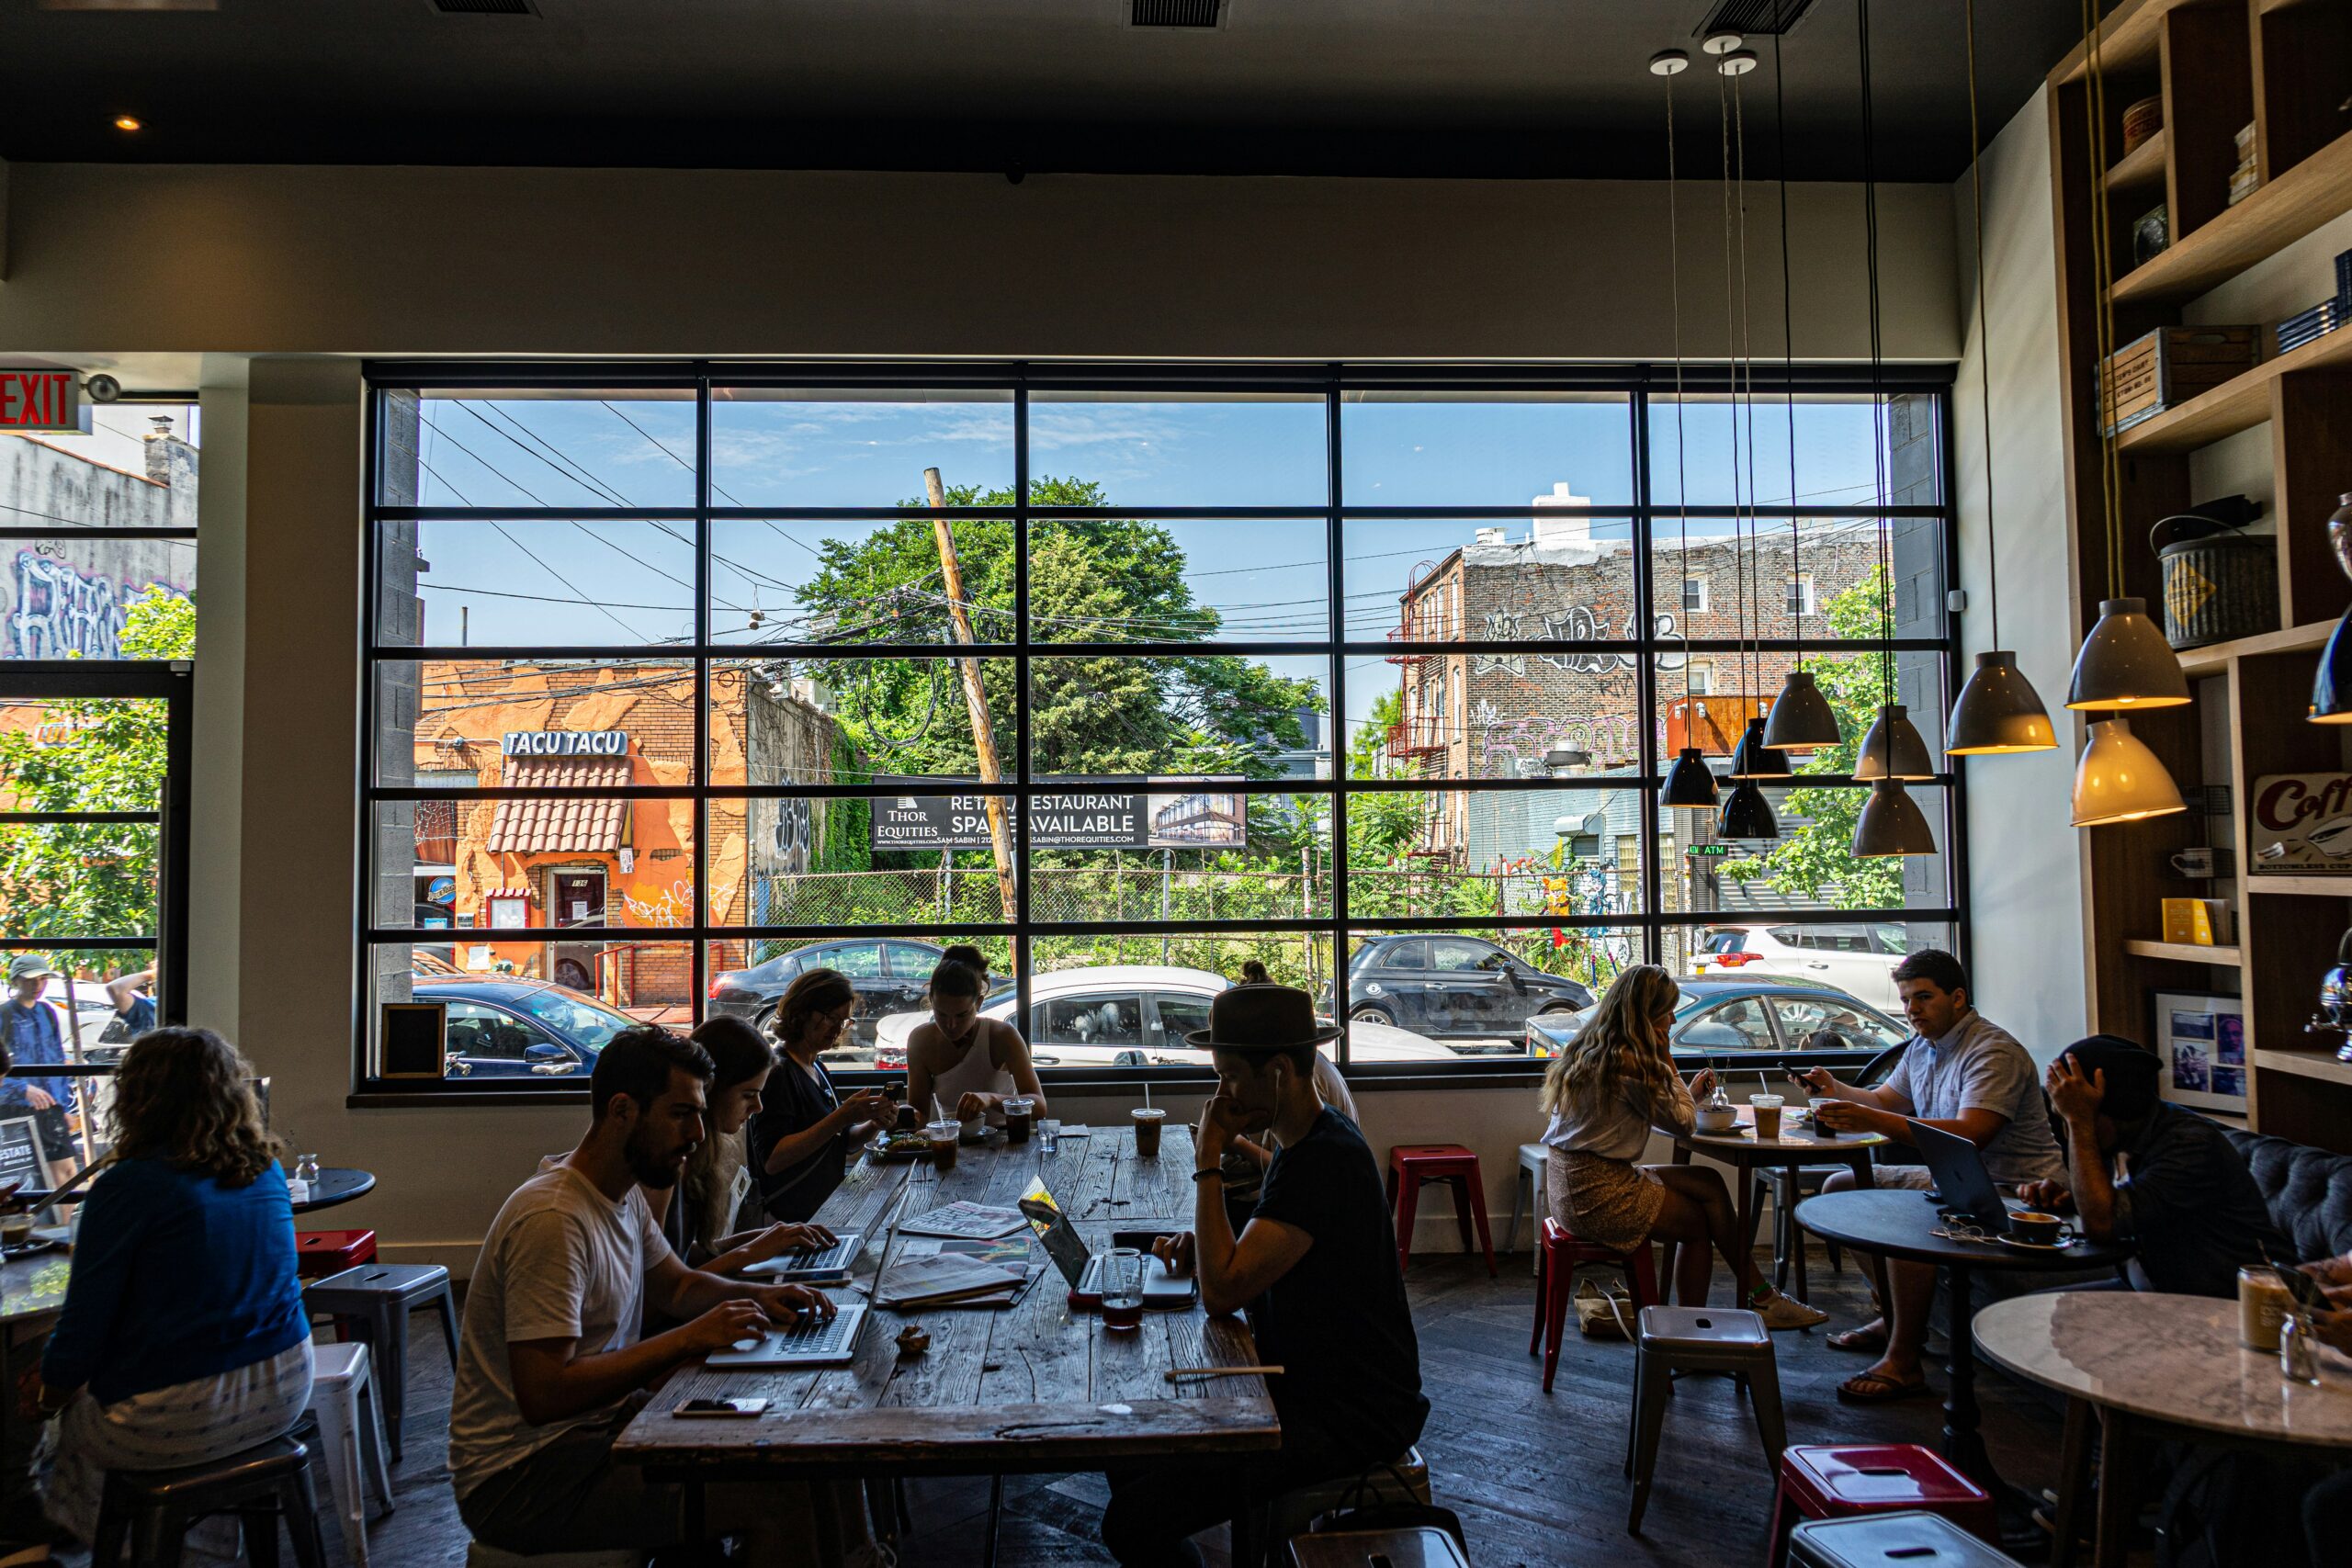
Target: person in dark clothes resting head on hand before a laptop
{"x":2153,"y":1174}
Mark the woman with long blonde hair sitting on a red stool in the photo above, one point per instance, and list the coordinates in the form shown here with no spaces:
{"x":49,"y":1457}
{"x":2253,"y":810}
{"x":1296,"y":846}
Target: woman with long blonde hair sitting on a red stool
{"x":1605,"y":1094}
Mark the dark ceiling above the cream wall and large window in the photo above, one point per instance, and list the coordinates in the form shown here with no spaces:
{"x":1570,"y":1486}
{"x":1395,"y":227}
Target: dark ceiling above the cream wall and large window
{"x":1424,"y":88}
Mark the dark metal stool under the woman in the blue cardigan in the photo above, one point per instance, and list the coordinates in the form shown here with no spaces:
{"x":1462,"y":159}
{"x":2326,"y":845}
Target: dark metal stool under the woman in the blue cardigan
{"x":156,"y":1508}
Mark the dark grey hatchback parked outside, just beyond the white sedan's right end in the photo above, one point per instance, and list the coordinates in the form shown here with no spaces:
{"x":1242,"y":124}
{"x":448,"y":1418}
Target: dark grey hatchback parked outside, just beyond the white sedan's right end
{"x":1455,"y":989}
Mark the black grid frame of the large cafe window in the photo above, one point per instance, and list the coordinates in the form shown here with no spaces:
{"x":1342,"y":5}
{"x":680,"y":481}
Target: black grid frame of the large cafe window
{"x":1662,"y":932}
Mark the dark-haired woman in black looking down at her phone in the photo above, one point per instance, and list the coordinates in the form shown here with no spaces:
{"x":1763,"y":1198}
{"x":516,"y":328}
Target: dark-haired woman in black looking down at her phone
{"x":806,"y":1130}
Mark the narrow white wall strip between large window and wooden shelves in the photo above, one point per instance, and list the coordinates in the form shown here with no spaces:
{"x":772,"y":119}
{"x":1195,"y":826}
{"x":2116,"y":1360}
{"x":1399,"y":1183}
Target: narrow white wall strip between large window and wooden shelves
{"x":2026,"y":862}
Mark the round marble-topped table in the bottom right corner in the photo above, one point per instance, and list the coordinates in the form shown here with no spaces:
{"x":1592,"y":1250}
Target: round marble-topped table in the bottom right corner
{"x":2156,"y":1367}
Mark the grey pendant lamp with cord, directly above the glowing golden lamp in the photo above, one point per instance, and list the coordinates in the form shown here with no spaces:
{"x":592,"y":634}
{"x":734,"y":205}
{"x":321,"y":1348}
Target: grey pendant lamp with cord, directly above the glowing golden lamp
{"x":2125,"y":662}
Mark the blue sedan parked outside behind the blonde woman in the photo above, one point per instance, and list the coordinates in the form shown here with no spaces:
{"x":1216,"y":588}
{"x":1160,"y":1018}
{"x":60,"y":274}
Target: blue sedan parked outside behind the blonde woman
{"x":1728,"y":1019}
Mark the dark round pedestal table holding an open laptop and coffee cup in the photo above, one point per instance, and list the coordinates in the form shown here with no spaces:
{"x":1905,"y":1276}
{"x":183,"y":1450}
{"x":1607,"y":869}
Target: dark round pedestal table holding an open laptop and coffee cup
{"x":1904,"y":1224}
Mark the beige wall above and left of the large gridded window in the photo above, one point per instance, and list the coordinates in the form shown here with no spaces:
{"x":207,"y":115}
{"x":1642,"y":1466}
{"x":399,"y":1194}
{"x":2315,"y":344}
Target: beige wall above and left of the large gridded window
{"x":283,"y":279}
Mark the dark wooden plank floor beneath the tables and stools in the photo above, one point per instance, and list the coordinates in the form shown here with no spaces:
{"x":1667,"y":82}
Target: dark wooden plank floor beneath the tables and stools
{"x":1532,"y":1475}
